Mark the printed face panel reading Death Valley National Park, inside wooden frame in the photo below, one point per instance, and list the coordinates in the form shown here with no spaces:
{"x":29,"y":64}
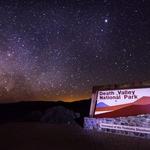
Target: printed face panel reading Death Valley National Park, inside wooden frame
{"x":112,"y":100}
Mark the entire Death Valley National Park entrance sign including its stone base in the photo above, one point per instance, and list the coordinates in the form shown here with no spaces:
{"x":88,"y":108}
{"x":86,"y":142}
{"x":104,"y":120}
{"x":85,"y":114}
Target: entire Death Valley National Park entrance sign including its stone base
{"x":121,"y":109}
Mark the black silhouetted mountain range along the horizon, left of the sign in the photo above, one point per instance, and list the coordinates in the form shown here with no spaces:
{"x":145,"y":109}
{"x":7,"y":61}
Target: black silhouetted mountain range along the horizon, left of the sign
{"x":21,"y":111}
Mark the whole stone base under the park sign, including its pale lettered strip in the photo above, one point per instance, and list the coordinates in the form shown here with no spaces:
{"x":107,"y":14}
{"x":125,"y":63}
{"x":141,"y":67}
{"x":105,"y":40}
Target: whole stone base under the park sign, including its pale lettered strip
{"x":136,"y":126}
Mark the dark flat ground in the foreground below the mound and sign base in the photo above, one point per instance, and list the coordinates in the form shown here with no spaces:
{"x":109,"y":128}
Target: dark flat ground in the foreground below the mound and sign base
{"x":44,"y":136}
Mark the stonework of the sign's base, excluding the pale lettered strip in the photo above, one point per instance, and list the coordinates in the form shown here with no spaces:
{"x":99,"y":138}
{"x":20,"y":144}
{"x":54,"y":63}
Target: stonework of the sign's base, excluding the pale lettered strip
{"x":131,"y":121}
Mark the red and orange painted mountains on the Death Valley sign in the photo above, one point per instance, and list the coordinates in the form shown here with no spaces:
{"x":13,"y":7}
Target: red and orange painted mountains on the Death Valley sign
{"x":141,"y":106}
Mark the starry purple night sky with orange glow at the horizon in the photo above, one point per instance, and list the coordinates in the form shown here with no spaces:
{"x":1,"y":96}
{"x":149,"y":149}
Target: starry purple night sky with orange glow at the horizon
{"x":59,"y":49}
